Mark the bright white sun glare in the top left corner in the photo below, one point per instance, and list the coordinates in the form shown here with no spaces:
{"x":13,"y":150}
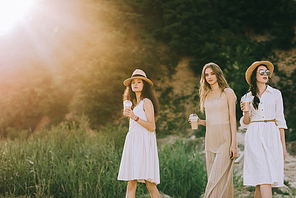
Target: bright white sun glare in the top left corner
{"x":11,"y":11}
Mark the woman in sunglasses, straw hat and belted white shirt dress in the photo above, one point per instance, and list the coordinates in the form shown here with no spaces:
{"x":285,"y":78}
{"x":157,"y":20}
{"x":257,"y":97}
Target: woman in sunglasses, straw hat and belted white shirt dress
{"x":265,"y":148}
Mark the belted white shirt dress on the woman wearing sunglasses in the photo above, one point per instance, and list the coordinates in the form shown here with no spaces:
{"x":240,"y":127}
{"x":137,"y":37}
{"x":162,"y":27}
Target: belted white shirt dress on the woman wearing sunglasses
{"x":263,"y":160}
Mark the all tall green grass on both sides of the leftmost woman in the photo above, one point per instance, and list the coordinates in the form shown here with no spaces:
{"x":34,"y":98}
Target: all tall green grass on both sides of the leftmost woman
{"x":71,"y":160}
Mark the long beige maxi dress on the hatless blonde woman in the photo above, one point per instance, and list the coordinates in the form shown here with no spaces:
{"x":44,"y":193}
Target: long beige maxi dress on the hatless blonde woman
{"x":217,"y":145}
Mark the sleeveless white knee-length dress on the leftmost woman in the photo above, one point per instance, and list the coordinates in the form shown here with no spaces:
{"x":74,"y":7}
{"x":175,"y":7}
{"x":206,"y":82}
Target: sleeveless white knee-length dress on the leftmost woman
{"x":140,"y":157}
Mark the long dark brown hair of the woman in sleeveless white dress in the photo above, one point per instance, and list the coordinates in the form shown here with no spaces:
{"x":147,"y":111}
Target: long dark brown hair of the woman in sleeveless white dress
{"x":147,"y":92}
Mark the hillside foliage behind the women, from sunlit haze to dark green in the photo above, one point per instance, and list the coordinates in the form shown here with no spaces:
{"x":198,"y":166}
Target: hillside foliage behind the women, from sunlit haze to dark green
{"x":81,"y":71}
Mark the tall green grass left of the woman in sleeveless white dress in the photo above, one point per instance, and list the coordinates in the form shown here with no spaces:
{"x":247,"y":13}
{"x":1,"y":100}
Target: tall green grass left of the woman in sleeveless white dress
{"x":62,"y":162}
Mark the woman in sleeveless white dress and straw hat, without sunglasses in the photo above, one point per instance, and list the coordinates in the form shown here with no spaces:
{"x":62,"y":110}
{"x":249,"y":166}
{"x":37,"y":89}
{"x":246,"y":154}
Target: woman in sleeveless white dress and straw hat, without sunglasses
{"x":139,"y":161}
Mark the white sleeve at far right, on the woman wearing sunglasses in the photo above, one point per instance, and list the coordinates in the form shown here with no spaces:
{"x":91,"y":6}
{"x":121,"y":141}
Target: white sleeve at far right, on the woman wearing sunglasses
{"x":279,"y":110}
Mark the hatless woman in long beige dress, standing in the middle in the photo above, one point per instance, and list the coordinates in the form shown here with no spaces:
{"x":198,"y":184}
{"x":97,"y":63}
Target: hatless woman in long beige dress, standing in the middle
{"x":219,"y":102}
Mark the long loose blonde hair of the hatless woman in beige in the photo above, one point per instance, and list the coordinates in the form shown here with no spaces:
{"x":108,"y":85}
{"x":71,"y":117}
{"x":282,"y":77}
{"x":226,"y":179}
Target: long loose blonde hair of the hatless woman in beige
{"x":205,"y":87}
